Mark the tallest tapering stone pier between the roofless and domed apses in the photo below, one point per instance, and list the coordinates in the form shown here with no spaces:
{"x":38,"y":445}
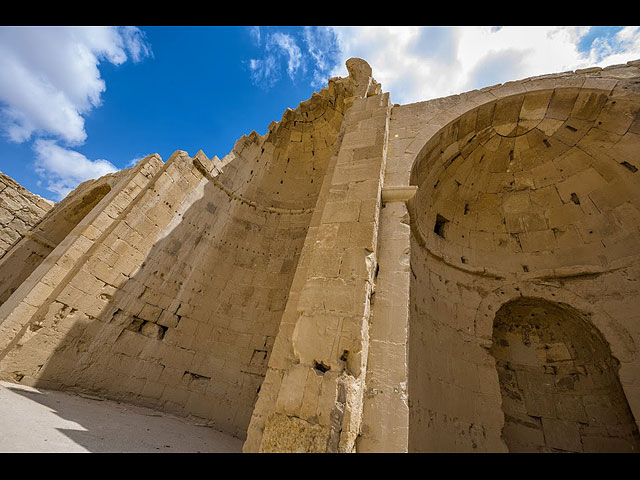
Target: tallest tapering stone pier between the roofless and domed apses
{"x":312,"y":397}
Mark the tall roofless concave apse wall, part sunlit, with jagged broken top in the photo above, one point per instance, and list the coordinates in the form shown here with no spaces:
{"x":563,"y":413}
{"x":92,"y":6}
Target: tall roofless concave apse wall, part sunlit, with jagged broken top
{"x":178,"y":302}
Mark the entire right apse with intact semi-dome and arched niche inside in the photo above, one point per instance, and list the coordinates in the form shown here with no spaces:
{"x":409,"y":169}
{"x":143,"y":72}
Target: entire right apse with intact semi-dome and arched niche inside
{"x":525,"y":230}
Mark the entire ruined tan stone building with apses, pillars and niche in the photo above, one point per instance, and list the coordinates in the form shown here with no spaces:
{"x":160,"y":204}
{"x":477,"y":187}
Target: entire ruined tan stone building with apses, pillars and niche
{"x":460,"y":274}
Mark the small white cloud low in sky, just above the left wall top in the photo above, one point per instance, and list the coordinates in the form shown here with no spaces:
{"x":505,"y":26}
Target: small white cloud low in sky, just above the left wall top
{"x":65,"y":169}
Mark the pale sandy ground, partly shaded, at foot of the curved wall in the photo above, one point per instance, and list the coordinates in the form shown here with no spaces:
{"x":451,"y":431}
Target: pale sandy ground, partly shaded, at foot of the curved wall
{"x":34,"y":420}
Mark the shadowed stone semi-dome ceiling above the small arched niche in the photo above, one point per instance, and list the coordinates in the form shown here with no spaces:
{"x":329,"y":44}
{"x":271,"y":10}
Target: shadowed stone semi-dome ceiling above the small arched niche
{"x":539,"y":183}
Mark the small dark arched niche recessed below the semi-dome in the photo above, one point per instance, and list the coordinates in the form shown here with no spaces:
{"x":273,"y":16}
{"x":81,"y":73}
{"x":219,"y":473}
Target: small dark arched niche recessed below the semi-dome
{"x":558,"y":381}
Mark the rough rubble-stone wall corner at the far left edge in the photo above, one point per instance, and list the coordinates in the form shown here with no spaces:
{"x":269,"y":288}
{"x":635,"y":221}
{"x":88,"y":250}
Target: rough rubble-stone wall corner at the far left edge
{"x":20,"y":210}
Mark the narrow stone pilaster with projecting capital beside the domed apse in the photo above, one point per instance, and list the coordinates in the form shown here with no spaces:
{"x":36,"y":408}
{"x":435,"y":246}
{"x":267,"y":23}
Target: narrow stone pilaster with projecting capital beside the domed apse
{"x":385,"y":422}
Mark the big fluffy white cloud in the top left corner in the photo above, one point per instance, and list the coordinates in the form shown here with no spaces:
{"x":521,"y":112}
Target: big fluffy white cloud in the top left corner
{"x":49,"y":76}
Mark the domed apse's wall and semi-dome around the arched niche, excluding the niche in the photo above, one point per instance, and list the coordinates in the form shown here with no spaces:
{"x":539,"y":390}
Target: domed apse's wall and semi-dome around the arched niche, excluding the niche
{"x":489,"y":217}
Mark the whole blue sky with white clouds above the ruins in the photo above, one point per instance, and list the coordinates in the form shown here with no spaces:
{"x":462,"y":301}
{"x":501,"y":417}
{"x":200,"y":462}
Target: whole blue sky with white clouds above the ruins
{"x":76,"y":103}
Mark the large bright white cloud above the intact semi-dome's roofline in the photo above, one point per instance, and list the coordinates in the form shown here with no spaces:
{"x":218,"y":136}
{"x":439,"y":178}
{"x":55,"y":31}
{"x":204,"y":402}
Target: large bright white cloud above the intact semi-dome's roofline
{"x":418,"y":63}
